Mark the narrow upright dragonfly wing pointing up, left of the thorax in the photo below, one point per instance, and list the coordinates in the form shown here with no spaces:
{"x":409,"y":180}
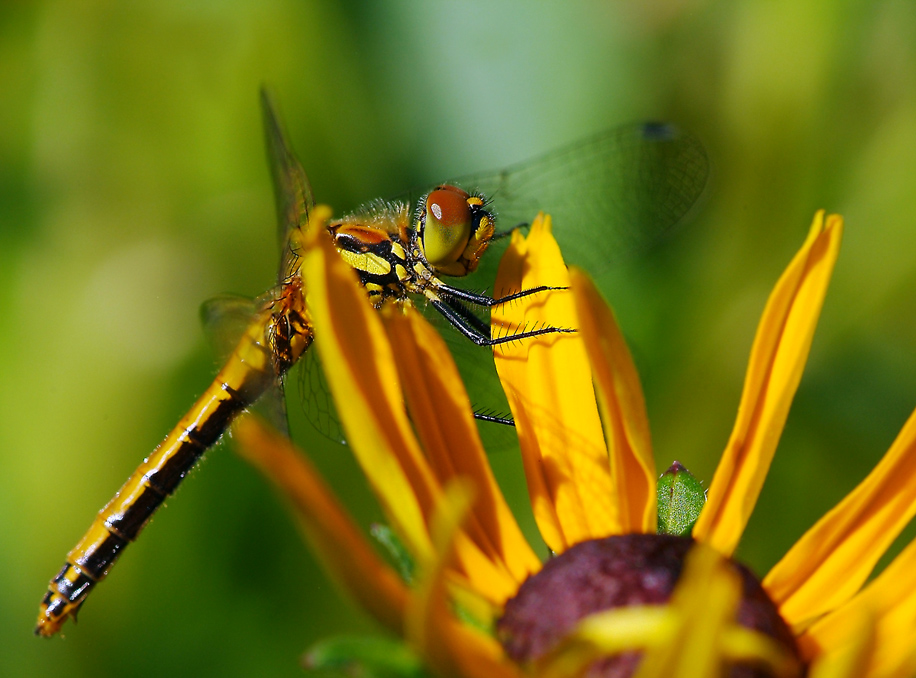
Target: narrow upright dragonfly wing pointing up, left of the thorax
{"x":292,"y":190}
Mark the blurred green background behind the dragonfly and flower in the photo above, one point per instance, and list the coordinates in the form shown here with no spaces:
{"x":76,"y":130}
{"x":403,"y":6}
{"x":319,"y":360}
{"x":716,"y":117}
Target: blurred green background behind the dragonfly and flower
{"x":133,"y":185}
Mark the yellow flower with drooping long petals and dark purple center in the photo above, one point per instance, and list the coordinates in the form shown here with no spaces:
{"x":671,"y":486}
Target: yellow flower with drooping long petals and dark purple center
{"x":586,"y":451}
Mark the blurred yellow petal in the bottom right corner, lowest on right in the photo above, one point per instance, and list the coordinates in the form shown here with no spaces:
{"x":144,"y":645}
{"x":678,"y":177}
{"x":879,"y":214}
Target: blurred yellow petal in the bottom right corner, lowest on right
{"x":891,"y":600}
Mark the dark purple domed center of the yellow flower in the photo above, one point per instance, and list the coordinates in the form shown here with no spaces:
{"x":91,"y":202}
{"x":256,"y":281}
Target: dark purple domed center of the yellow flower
{"x":620,"y":571}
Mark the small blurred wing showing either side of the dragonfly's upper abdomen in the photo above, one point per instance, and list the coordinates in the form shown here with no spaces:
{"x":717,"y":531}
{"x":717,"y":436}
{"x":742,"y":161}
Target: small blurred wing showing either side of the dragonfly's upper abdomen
{"x":225,"y":319}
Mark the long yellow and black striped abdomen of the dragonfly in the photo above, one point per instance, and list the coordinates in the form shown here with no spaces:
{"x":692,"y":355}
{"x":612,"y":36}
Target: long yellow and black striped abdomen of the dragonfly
{"x":272,"y":343}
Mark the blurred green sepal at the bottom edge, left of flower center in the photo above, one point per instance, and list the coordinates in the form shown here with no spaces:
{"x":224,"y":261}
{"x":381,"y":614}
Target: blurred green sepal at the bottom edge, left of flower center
{"x":364,"y":657}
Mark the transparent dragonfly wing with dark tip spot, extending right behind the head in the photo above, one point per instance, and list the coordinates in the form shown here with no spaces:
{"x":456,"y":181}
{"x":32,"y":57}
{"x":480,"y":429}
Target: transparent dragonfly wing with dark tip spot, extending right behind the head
{"x":610,"y":195}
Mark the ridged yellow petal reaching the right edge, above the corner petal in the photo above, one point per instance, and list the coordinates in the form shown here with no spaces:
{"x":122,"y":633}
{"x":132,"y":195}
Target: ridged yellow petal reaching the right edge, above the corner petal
{"x":829,"y":564}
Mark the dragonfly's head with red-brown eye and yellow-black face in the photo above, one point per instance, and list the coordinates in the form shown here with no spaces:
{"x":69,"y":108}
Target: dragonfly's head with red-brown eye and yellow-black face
{"x":454,"y":229}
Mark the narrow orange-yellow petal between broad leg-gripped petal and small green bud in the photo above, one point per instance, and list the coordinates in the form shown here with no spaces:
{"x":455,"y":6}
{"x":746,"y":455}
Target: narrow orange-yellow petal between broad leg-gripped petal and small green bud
{"x":623,"y":408}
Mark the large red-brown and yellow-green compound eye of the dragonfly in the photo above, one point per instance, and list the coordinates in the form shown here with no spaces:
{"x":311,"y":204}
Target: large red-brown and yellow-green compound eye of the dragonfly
{"x":448,"y":225}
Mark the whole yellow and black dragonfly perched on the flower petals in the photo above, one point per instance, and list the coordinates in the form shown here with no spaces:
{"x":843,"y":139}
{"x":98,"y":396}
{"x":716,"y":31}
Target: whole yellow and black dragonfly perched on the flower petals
{"x":640,"y":178}
